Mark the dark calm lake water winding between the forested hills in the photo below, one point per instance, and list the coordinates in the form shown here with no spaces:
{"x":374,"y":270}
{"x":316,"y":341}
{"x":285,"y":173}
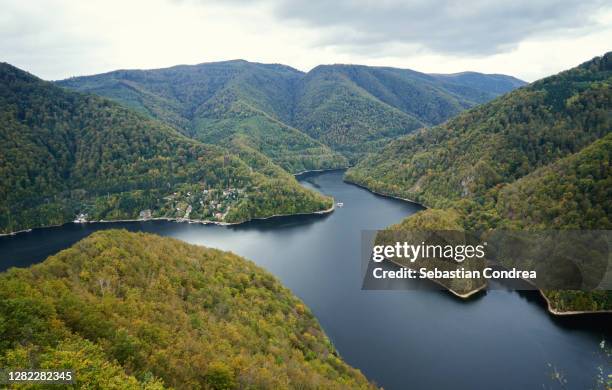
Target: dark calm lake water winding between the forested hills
{"x":399,"y":339}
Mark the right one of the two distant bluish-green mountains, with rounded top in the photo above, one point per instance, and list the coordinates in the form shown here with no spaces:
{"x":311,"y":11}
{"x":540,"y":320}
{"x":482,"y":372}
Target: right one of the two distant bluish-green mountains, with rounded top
{"x":357,"y":109}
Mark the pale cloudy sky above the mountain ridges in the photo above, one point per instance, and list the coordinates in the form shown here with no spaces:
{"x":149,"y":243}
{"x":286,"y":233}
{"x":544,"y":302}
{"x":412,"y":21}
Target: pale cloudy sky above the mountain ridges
{"x":529,"y":39}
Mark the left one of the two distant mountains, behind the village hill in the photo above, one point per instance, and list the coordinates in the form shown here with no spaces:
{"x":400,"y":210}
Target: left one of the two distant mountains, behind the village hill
{"x":221,"y":103}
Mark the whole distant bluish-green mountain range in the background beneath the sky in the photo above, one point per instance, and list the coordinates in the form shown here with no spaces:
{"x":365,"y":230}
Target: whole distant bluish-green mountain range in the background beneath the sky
{"x":291,"y":117}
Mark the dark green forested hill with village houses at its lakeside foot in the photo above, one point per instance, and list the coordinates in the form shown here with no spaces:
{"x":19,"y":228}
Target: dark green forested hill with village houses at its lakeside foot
{"x":64,"y":153}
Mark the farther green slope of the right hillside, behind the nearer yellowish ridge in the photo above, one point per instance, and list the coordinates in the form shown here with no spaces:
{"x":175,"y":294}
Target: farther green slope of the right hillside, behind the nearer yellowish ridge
{"x":497,"y":142}
